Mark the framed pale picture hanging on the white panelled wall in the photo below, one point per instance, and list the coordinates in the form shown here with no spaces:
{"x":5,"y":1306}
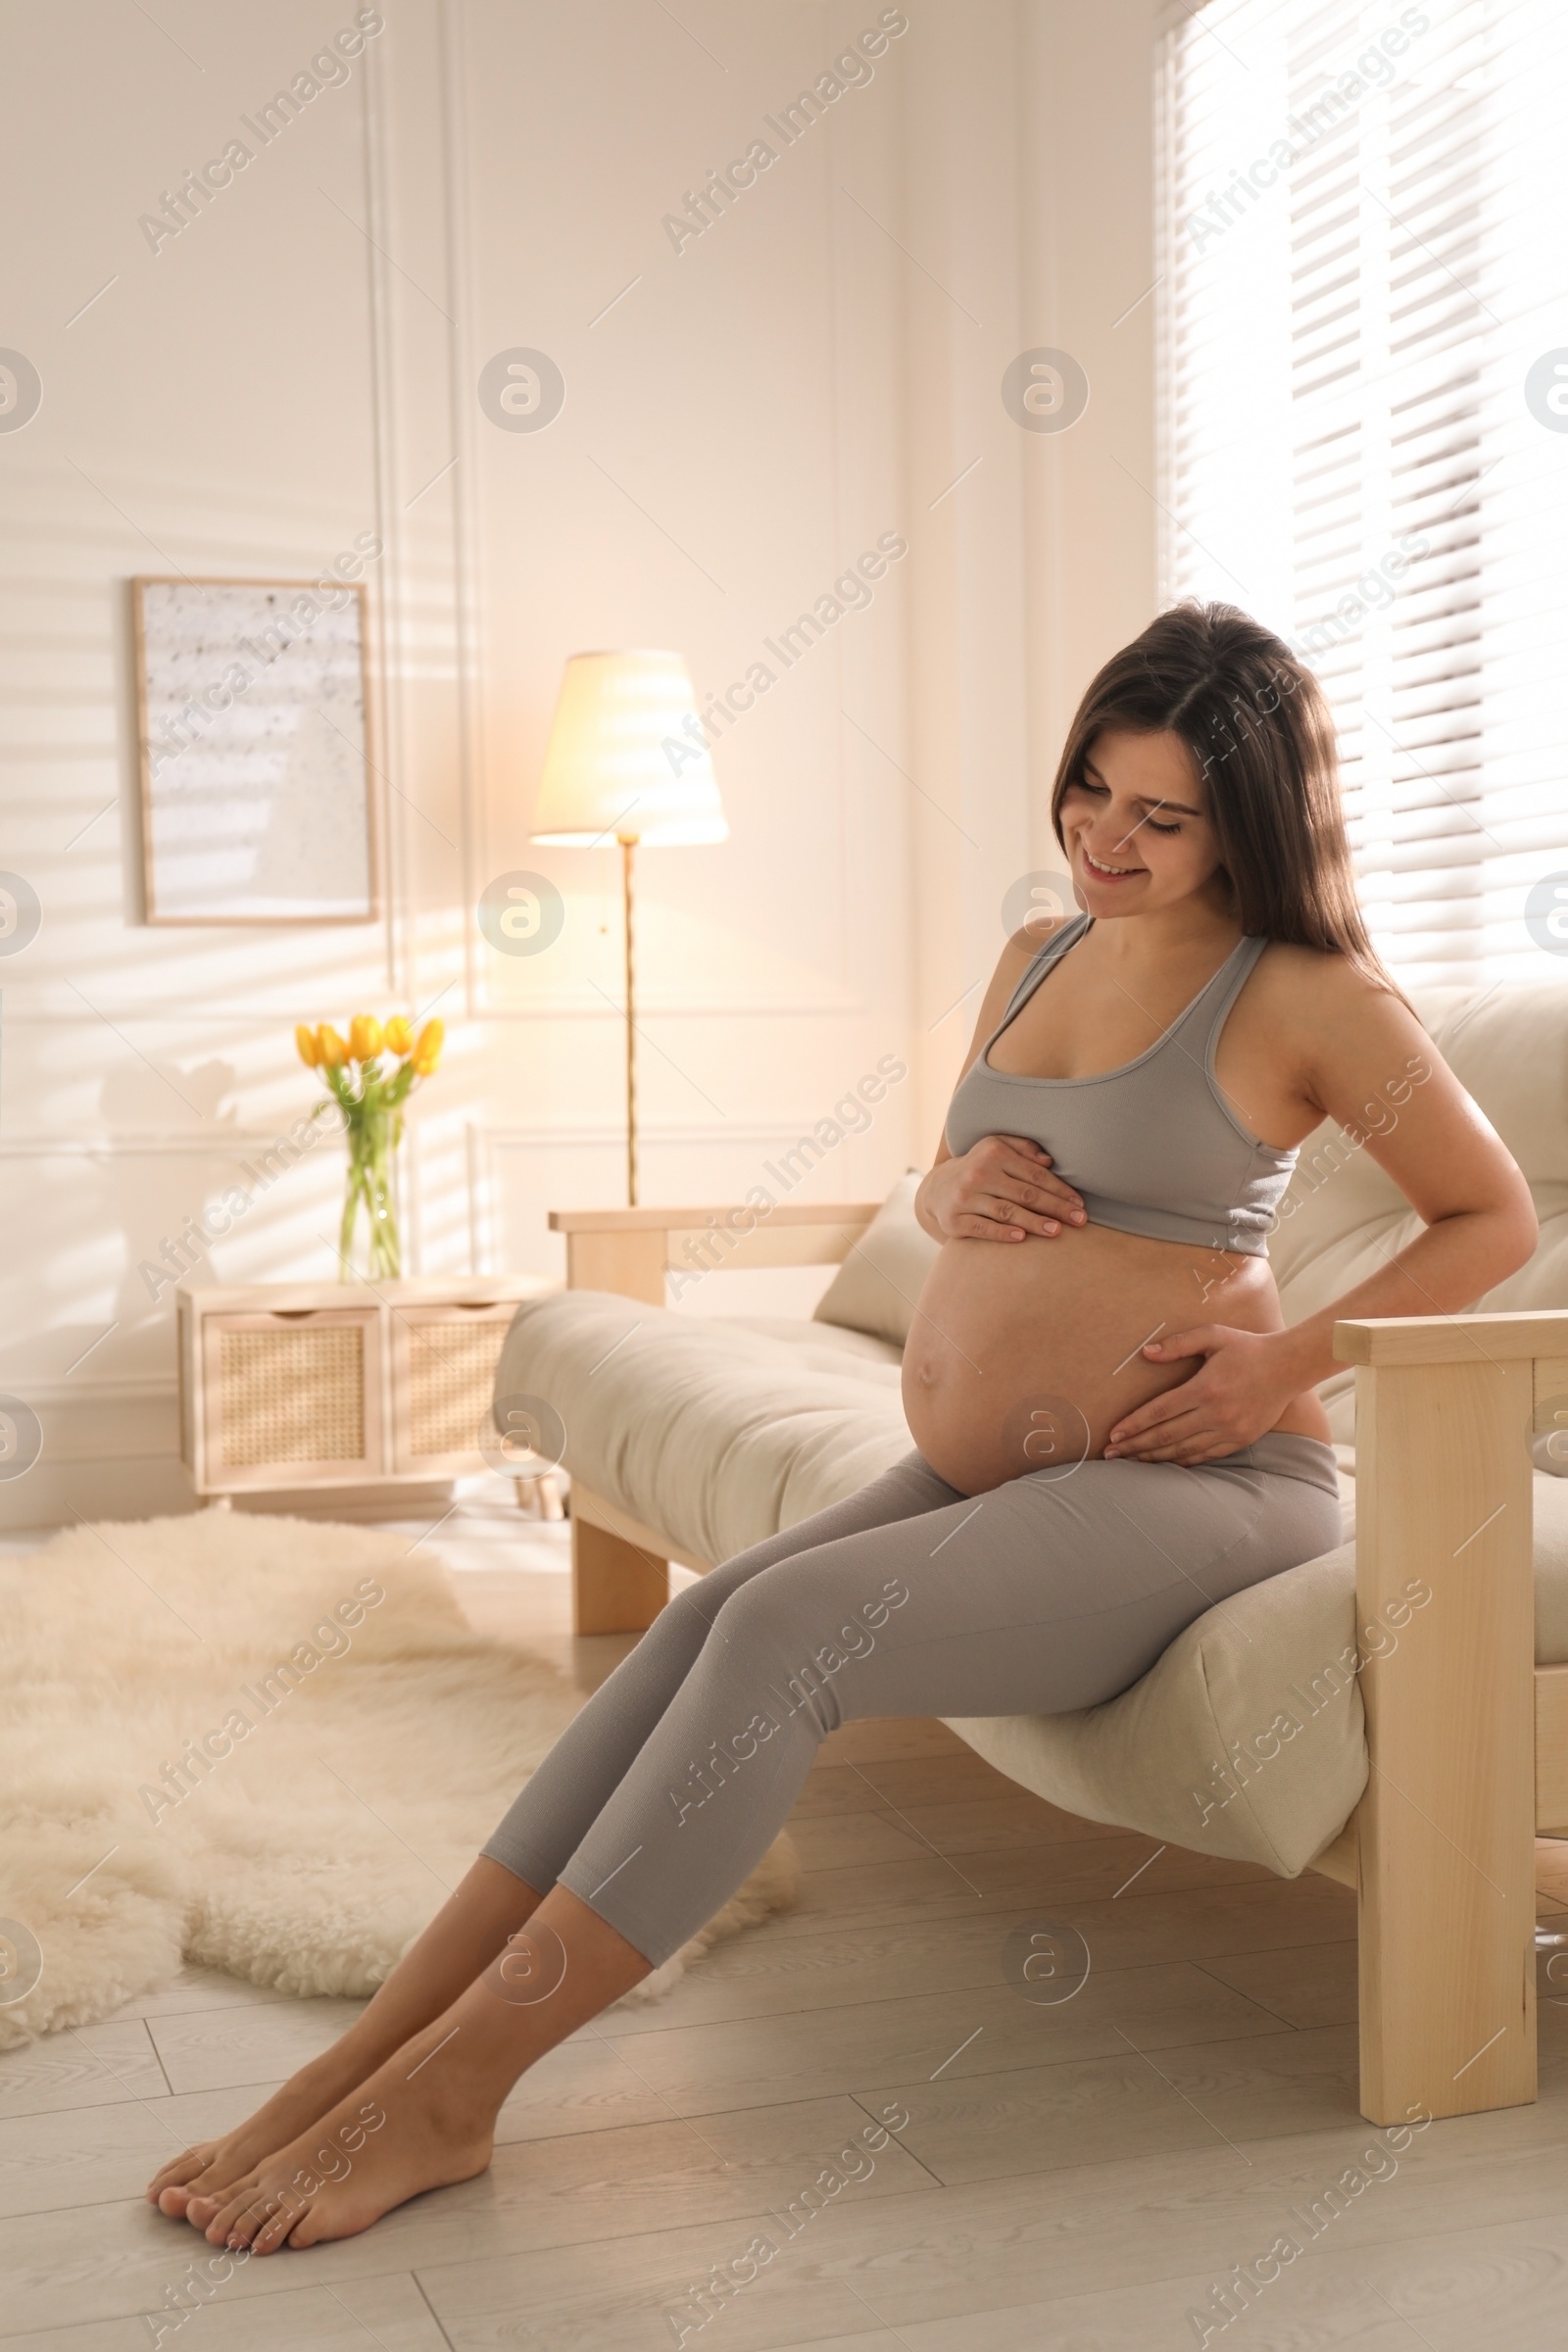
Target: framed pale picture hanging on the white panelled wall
{"x":255,"y":751}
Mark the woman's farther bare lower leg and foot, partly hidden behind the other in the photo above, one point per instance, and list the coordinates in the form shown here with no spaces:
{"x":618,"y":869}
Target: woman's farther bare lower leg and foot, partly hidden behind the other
{"x":464,"y":1937}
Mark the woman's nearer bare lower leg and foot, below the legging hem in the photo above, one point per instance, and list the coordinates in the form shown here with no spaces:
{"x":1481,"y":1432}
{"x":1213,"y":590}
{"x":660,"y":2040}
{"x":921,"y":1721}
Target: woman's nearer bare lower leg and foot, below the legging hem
{"x":427,"y":2116}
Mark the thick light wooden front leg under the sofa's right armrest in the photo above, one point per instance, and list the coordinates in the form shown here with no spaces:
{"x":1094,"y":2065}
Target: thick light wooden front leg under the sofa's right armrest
{"x":1447,"y":1829}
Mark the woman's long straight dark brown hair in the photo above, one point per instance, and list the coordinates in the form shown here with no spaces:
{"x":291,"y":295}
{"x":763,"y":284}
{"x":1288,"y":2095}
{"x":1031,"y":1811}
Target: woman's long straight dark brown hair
{"x":1261,"y":740}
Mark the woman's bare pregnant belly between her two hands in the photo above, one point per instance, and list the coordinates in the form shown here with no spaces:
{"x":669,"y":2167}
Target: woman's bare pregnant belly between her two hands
{"x":1024,"y":1356}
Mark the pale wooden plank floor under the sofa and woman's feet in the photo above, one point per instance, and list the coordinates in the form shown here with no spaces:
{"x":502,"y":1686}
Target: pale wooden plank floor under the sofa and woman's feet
{"x":1073,"y":2179}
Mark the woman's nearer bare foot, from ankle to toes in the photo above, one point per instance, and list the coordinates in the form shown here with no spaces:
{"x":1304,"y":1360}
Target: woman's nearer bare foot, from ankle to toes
{"x":410,"y":2127}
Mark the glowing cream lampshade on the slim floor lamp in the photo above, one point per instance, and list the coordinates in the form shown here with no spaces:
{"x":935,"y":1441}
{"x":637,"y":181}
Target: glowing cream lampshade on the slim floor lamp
{"x":626,"y":759}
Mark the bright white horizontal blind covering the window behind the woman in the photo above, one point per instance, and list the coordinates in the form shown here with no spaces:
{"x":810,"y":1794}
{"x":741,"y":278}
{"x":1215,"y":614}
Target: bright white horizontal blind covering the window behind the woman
{"x":1365,"y":276}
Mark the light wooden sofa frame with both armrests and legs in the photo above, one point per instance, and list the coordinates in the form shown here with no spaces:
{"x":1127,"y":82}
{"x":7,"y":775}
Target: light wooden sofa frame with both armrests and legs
{"x":1468,"y":1737}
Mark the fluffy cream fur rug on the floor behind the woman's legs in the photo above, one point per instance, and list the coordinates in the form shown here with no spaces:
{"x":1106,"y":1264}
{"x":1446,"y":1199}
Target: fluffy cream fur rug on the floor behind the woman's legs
{"x":323,"y":1840}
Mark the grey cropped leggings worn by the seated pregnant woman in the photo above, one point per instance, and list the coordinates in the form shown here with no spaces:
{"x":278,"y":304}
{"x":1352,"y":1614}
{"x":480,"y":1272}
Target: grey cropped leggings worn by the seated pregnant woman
{"x":909,"y":1598}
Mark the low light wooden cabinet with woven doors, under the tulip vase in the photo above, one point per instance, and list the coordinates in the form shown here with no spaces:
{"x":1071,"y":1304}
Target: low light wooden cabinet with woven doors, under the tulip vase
{"x":333,"y":1384}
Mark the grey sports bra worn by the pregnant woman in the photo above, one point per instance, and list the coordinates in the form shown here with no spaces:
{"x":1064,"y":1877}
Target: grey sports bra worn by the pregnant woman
{"x":1151,"y":1147}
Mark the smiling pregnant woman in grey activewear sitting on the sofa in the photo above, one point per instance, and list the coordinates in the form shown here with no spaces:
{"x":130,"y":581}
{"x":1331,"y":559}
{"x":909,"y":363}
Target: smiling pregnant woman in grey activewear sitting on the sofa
{"x":1115,"y":1426}
